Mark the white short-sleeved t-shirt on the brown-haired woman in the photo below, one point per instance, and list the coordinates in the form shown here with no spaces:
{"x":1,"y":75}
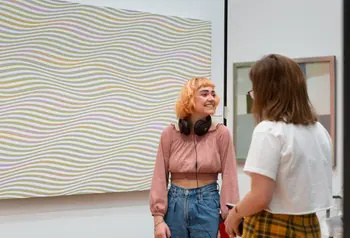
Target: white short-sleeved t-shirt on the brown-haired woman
{"x":299,"y":159}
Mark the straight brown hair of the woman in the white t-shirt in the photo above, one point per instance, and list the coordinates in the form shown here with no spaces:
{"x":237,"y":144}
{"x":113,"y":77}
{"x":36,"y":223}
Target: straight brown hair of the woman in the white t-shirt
{"x":280,"y":91}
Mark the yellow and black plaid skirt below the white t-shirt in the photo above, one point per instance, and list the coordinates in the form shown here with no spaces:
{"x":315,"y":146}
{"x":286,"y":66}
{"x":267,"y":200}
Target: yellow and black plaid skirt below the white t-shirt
{"x":265,"y":224}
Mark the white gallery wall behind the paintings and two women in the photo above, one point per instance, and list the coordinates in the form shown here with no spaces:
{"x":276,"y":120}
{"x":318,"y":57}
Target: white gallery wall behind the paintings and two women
{"x":294,"y":28}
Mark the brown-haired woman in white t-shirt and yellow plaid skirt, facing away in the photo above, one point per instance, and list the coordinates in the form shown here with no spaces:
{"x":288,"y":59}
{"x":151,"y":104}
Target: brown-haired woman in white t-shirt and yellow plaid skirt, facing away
{"x":289,"y":159}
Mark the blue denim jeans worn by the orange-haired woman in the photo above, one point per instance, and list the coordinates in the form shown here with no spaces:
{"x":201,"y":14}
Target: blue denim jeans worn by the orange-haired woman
{"x":193,"y":213}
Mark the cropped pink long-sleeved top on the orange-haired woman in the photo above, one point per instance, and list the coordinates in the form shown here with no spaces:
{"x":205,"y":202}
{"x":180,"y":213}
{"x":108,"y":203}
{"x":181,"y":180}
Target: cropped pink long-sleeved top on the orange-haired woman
{"x":177,"y":155}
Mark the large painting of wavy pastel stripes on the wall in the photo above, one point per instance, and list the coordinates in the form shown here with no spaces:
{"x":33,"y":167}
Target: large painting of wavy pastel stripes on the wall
{"x":85,"y":93}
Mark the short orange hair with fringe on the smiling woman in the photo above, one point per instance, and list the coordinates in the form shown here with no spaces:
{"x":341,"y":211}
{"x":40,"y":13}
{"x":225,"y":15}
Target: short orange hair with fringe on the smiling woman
{"x":185,"y":105}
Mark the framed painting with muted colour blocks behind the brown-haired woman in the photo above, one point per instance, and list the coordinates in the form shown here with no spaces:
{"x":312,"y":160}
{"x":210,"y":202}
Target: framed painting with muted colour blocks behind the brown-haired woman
{"x":320,"y":75}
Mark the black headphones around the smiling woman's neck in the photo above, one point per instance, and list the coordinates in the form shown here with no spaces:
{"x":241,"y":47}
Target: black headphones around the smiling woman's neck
{"x":200,"y":128}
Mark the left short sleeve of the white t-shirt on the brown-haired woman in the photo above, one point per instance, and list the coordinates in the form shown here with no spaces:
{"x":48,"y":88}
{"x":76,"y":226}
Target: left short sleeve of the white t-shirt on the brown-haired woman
{"x":264,"y":154}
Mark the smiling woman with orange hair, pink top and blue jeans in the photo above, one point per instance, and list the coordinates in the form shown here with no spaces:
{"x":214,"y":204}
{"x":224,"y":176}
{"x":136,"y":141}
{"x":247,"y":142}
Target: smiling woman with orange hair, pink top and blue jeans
{"x":193,"y":152}
